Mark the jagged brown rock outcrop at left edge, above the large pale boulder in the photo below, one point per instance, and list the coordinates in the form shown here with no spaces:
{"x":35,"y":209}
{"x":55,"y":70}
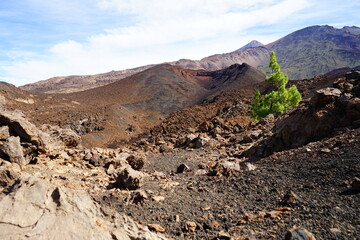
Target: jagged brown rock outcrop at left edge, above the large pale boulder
{"x":22,"y":142}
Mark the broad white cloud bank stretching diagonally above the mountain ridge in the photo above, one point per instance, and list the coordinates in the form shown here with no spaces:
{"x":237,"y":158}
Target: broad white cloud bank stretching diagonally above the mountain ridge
{"x":163,"y":31}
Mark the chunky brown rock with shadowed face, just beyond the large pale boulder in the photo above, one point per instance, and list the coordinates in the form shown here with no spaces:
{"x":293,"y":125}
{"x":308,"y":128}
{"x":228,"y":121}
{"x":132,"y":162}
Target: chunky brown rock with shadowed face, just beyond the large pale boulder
{"x":128,"y":178}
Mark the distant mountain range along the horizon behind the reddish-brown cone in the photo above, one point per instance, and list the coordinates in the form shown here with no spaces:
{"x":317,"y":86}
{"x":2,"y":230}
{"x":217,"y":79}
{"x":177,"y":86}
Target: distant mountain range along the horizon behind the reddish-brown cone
{"x":307,"y":52}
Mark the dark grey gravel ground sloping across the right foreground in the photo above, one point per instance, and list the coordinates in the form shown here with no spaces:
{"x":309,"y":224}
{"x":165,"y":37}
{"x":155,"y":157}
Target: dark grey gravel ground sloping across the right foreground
{"x":248,"y":204}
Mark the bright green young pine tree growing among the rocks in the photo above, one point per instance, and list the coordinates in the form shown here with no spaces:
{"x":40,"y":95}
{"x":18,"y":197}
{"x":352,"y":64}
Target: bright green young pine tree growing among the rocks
{"x":275,"y":102}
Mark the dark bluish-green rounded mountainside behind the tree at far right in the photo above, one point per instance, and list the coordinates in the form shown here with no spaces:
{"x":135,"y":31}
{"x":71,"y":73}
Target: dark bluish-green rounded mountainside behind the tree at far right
{"x":317,"y":50}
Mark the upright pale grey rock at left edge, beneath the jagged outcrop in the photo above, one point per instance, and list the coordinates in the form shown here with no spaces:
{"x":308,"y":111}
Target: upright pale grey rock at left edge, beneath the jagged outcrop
{"x":13,"y":151}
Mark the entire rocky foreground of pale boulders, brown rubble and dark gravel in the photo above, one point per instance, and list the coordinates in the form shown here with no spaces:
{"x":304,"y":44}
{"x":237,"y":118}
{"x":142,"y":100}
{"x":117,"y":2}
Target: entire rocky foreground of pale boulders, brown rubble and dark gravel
{"x":215,"y":176}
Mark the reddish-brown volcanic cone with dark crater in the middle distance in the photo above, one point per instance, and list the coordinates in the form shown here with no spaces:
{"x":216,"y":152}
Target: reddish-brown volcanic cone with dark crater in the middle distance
{"x":127,"y":107}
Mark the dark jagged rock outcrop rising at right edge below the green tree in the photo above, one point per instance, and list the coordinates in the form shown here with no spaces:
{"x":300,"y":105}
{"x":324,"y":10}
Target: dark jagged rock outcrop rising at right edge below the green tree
{"x":329,"y":109}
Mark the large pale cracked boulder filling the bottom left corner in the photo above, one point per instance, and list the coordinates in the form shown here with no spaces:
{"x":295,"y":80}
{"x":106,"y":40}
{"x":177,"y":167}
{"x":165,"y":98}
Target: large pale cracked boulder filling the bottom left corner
{"x":36,"y":209}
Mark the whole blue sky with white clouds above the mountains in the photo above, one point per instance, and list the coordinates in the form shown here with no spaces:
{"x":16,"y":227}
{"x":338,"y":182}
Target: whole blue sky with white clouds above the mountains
{"x":42,"y":39}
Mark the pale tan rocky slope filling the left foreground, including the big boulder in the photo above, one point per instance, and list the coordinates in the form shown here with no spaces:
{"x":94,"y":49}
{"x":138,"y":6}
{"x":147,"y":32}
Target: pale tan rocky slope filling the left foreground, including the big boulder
{"x":47,"y":180}
